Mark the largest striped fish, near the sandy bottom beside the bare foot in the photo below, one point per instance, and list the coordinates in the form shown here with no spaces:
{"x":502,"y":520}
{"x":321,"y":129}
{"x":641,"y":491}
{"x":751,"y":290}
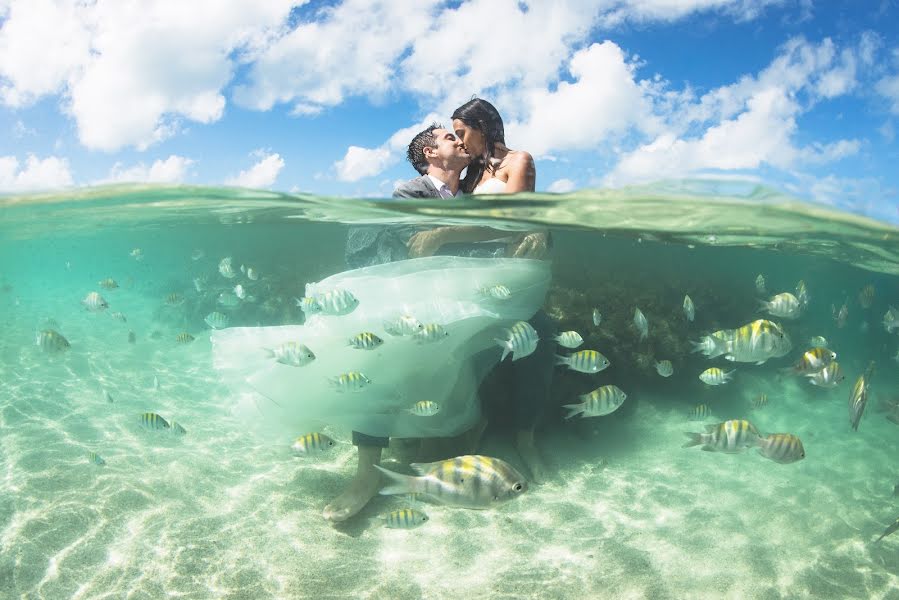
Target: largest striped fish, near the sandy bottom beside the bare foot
{"x":466,"y":481}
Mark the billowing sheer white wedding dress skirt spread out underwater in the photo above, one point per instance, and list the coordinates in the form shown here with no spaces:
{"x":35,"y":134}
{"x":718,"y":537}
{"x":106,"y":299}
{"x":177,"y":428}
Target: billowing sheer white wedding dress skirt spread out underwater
{"x":442,"y":289}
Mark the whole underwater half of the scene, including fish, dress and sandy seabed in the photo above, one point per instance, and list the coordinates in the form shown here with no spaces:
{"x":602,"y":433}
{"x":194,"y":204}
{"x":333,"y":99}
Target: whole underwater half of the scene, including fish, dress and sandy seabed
{"x":695,"y":395}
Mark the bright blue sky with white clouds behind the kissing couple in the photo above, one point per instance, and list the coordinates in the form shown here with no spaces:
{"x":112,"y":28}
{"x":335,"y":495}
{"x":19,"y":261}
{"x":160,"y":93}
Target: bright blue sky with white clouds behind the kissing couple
{"x":323,"y":97}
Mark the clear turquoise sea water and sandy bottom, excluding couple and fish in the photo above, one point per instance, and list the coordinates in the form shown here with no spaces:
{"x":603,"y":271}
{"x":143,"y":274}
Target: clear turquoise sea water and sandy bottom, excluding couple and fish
{"x":227,"y":511}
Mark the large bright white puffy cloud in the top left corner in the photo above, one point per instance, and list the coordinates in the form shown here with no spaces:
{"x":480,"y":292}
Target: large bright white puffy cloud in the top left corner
{"x":129,"y":71}
